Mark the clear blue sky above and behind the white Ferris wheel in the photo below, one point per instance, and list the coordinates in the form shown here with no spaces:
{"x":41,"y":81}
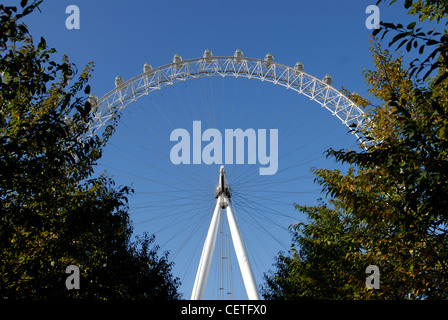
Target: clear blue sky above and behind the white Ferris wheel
{"x":120,"y":36}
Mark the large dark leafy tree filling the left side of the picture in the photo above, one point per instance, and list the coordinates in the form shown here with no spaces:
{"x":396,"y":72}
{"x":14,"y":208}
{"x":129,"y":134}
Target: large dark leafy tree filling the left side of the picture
{"x":54,"y":213}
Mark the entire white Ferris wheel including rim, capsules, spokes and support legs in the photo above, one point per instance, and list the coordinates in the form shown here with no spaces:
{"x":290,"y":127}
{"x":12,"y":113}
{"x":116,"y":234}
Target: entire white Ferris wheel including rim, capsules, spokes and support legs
{"x":198,"y":137}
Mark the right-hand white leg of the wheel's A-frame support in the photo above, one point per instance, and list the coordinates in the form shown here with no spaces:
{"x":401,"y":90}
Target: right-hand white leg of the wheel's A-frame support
{"x":241,"y":254}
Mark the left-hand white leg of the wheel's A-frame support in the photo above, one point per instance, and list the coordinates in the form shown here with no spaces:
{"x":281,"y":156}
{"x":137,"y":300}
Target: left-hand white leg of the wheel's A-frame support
{"x":207,"y":255}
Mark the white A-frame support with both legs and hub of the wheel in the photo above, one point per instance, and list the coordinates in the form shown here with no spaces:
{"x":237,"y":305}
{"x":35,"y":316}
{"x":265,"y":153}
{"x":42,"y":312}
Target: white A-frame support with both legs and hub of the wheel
{"x":223,"y":196}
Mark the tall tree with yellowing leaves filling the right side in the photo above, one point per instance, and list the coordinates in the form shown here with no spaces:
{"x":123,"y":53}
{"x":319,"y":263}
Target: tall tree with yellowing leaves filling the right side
{"x":389,"y":210}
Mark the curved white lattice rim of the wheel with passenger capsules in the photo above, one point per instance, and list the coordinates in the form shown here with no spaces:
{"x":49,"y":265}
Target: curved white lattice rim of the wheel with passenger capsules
{"x":291,"y":78}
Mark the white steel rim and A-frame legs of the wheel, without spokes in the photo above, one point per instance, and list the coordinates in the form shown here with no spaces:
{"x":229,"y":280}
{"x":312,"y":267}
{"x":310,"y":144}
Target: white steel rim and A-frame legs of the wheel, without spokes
{"x":293,"y":78}
